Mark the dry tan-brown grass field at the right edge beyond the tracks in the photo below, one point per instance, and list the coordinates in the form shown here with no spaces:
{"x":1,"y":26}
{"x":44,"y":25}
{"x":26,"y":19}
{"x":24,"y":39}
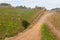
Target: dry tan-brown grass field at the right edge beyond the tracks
{"x":55,"y":20}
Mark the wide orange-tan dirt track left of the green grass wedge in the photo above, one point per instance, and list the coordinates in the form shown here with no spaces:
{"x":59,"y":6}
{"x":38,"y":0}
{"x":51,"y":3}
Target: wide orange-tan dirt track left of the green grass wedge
{"x":32,"y":34}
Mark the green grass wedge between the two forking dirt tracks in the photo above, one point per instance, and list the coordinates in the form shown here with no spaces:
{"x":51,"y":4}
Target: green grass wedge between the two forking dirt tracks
{"x":46,"y":33}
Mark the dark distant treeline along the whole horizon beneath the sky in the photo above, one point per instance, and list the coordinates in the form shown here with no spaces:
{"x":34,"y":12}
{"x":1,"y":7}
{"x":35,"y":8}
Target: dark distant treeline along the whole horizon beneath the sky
{"x":5,"y":5}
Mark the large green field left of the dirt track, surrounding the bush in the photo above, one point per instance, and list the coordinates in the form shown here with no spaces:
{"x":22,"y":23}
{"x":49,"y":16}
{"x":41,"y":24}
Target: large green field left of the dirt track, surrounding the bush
{"x":10,"y":20}
